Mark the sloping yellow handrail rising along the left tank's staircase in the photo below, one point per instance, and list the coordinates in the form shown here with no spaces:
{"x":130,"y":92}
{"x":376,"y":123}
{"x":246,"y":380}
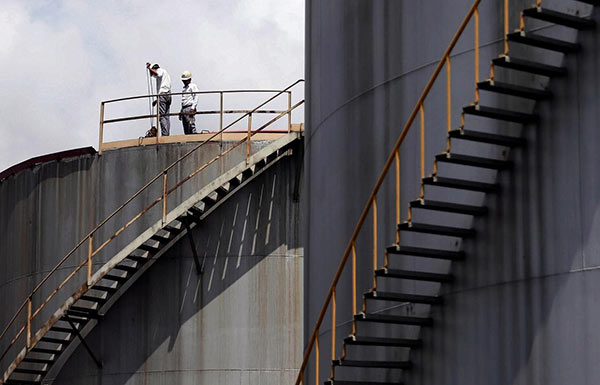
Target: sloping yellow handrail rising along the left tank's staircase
{"x":31,"y":314}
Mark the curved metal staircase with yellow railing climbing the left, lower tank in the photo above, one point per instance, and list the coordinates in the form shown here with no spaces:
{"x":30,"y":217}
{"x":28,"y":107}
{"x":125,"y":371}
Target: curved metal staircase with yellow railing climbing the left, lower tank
{"x":83,"y":309}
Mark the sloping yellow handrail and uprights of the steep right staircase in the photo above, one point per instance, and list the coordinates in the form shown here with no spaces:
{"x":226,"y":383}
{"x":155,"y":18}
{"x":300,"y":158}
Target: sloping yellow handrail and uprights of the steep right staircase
{"x":371,"y":201}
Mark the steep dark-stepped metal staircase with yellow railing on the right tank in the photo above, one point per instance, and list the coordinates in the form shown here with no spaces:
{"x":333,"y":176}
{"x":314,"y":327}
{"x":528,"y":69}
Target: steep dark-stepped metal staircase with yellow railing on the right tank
{"x":388,"y":361}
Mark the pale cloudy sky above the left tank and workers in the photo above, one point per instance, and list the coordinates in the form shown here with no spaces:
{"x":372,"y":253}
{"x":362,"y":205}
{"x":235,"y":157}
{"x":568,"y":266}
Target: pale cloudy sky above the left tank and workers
{"x":61,"y":58}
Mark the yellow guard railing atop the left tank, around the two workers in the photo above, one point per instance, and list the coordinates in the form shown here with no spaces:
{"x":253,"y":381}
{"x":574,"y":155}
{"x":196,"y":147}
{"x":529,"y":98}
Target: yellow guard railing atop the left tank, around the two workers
{"x":221,"y":112}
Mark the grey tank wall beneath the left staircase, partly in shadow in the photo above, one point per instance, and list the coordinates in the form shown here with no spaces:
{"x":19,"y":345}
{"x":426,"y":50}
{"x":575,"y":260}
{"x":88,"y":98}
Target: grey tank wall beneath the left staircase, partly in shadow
{"x":242,"y":312}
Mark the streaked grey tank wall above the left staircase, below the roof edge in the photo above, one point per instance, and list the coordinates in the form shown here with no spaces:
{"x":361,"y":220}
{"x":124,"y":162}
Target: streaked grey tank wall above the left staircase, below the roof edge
{"x":47,"y":209}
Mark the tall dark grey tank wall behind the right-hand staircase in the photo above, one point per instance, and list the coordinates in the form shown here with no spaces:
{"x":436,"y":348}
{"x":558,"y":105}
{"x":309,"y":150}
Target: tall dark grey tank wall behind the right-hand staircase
{"x":367,"y":63}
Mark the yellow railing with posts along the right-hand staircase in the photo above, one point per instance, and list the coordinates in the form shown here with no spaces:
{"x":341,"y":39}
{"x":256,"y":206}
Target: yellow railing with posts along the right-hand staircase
{"x":371,"y":205}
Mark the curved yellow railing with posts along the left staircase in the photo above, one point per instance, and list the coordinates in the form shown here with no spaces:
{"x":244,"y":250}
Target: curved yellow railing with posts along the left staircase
{"x":87,"y":243}
